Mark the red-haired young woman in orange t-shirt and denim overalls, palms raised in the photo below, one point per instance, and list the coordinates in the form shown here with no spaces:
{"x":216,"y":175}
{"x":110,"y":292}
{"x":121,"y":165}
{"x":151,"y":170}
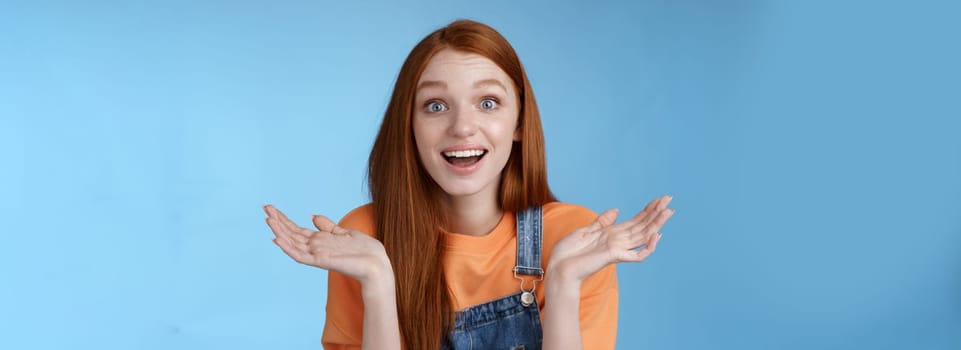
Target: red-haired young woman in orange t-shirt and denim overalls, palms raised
{"x":463,"y":245}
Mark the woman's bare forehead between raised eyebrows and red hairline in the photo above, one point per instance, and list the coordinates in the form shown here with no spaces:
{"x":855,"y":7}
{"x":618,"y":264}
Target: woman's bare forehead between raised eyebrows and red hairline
{"x":462,"y":67}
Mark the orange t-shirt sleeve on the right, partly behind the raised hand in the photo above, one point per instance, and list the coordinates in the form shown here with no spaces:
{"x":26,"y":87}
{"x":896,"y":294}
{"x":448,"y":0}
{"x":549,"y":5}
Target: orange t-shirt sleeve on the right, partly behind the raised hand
{"x":599,"y":294}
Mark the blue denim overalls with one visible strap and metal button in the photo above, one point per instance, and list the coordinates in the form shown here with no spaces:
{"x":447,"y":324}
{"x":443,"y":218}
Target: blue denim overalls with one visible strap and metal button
{"x":512,"y":322}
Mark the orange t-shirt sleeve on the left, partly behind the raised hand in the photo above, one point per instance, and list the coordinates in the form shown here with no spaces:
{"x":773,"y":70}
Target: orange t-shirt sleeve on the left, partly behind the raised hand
{"x":344,"y":323}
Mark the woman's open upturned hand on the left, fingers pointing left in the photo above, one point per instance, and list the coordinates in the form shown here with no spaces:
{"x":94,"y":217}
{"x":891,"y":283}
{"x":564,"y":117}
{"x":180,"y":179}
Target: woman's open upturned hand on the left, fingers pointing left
{"x":331,"y":247}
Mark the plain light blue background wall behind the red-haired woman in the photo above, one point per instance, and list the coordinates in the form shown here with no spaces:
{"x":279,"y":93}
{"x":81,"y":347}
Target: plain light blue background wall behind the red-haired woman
{"x":811,"y":147}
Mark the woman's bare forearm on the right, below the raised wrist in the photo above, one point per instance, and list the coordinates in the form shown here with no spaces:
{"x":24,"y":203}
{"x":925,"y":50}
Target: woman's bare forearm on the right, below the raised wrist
{"x":562,"y":328}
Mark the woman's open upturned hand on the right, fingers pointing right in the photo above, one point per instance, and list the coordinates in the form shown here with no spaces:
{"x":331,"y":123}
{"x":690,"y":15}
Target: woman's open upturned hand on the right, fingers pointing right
{"x":587,"y":250}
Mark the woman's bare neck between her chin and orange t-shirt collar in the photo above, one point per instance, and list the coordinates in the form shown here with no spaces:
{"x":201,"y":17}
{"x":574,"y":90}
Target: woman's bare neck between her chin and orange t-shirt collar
{"x":474,"y":215}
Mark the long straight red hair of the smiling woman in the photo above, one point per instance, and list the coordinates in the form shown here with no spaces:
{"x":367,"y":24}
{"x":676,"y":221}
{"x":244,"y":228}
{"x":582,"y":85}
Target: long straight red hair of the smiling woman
{"x":407,"y":202}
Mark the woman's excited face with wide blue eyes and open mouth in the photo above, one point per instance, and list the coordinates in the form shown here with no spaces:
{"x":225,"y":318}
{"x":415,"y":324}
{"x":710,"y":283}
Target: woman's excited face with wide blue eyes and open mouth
{"x":465,"y":122}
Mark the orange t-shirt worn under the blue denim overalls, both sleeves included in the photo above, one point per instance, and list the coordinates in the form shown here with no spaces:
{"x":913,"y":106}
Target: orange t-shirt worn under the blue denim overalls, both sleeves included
{"x":480,"y":269}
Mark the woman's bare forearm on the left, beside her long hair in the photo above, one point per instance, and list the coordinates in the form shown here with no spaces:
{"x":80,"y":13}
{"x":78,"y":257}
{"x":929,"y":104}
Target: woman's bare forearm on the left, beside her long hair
{"x":381,"y":328}
